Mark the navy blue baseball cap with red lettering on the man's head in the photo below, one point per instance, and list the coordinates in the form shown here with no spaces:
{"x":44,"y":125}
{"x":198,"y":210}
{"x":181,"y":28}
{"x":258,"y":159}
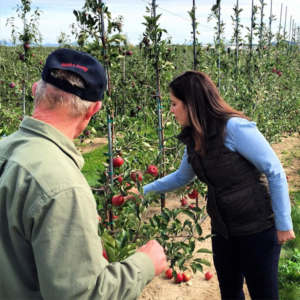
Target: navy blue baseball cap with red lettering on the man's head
{"x":81,"y":63}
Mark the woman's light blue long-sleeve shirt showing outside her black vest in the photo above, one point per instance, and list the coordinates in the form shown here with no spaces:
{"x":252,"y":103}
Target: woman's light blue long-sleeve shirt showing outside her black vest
{"x":241,"y":136}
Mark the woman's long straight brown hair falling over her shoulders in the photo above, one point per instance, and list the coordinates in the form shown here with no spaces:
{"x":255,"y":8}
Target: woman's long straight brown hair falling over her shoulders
{"x":204,"y":104}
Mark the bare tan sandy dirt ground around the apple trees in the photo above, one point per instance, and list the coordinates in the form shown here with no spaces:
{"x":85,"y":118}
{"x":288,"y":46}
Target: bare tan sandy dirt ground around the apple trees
{"x":161,"y":288}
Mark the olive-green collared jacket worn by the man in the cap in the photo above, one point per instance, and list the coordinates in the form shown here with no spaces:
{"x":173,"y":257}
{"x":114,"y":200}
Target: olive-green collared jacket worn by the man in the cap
{"x":49,"y":245}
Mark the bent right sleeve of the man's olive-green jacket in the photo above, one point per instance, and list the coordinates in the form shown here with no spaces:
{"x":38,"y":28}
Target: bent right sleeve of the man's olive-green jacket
{"x":68,"y":252}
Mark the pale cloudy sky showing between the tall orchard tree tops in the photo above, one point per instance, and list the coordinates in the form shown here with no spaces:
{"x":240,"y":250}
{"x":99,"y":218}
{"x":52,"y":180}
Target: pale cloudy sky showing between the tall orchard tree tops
{"x":58,"y":15}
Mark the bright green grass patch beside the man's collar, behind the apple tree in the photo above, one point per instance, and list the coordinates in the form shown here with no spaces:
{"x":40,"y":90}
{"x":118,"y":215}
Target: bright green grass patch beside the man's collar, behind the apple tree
{"x":93,"y":163}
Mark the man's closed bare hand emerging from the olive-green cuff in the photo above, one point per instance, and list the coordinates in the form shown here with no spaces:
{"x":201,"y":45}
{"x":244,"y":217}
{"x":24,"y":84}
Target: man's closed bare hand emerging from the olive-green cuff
{"x":156,"y":253}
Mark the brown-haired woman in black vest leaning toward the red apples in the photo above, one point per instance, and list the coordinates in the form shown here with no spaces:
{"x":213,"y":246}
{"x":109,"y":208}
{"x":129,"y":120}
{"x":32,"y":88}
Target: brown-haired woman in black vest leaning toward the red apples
{"x":250,"y":216}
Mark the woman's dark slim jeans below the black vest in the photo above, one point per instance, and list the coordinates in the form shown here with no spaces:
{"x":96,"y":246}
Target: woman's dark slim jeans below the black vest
{"x":254,"y":257}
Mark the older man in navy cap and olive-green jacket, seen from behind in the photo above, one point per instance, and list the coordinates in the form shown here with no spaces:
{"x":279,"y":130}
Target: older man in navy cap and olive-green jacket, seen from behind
{"x":49,"y":246}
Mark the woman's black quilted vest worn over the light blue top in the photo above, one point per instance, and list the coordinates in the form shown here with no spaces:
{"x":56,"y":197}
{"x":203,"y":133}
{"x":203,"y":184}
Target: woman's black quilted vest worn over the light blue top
{"x":238,"y":198}
